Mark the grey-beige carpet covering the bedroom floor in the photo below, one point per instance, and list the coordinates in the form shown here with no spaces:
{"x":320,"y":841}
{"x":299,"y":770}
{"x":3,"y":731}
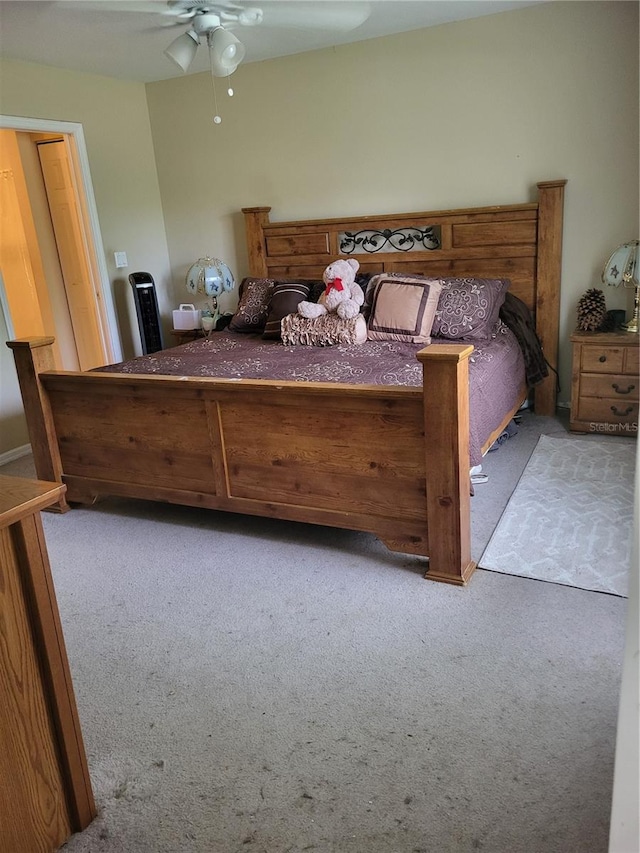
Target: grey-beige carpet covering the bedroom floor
{"x":247,"y":685}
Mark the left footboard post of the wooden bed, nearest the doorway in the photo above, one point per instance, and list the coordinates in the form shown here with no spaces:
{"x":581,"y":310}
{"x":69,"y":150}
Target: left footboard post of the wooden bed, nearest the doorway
{"x":32,"y":356}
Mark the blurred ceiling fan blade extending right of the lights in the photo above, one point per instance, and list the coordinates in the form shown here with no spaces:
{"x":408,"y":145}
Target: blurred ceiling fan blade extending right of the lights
{"x":338,"y":16}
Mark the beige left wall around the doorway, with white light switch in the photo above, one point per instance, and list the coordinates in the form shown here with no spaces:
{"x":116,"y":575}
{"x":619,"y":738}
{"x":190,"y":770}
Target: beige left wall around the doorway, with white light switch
{"x":117,"y":133}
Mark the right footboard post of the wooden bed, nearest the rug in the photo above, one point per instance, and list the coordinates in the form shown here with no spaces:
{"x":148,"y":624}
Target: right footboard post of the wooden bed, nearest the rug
{"x":446,"y":436}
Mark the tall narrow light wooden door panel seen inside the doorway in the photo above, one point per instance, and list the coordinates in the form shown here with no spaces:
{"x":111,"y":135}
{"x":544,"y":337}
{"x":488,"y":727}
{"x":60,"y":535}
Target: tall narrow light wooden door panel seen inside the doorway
{"x":76,"y":273}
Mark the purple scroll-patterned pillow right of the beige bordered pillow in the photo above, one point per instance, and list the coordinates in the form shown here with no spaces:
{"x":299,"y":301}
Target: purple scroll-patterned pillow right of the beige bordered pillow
{"x":468,"y":308}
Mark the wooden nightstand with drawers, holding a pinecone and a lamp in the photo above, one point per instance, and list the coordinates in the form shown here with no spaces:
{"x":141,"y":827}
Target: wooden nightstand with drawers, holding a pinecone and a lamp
{"x":604,"y":383}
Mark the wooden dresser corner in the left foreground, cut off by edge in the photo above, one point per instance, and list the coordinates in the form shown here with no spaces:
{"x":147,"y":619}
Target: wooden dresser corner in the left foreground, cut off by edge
{"x":45,"y":790}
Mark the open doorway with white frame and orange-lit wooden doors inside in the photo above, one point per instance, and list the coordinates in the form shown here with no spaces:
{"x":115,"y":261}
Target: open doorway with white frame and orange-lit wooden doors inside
{"x":53,"y":267}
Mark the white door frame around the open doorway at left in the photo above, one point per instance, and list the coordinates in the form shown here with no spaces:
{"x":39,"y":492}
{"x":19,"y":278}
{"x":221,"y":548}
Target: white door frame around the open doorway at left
{"x":105,"y":306}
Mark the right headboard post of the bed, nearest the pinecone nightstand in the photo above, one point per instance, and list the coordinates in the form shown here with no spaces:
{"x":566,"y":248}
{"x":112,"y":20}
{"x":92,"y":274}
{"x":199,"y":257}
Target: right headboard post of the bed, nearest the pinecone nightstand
{"x":549,"y":270}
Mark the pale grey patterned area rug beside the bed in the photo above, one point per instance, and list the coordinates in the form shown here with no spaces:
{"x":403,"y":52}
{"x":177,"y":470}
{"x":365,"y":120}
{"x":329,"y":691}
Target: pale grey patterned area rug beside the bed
{"x":569,"y":520}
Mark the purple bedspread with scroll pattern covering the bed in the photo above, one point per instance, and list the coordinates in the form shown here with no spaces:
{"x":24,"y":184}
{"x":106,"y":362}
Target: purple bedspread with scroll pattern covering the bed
{"x":496,"y":370}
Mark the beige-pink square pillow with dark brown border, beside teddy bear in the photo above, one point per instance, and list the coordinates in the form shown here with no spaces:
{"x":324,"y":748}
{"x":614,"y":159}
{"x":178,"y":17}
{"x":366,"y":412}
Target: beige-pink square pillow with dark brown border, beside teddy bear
{"x":402,"y":308}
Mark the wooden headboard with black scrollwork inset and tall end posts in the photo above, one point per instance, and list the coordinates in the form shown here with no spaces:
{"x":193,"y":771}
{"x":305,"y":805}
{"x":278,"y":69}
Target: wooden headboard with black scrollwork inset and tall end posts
{"x":521,"y":242}
